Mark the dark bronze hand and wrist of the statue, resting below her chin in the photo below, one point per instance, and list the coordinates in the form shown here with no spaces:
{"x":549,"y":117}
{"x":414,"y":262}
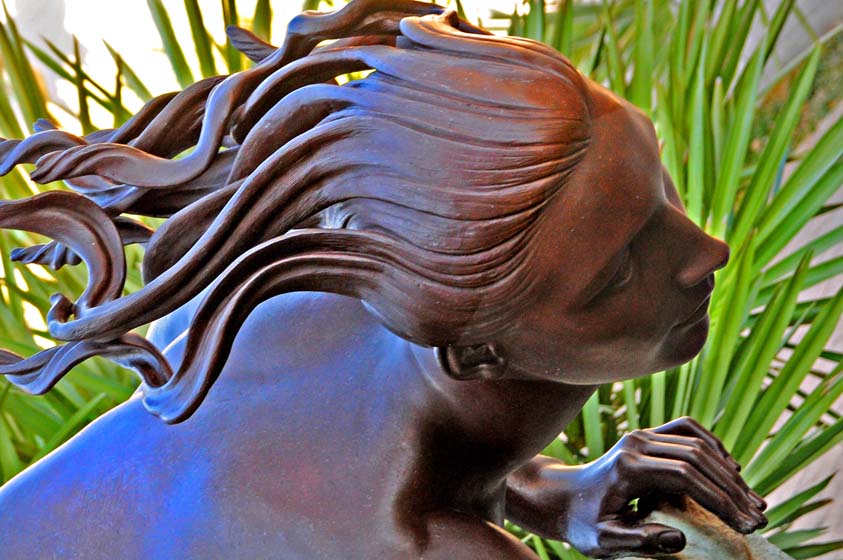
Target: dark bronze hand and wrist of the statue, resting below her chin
{"x":590,"y":506}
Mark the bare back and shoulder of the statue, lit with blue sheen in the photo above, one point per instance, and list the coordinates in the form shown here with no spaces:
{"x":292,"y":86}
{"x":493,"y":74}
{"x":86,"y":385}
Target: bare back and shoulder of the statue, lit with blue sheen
{"x":264,"y":463}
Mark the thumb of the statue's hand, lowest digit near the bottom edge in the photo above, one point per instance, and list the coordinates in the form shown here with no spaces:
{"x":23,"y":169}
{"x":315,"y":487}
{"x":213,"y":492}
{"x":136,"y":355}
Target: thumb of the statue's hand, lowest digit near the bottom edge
{"x":616,"y":538}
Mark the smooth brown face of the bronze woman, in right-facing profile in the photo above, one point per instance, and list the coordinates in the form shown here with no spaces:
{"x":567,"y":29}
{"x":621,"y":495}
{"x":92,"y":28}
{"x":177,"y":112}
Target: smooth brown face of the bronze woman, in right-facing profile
{"x":625,"y":275}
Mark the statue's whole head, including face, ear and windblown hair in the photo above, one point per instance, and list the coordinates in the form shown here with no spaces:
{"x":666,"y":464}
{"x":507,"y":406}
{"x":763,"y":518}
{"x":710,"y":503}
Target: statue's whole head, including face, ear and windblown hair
{"x":477,"y":192}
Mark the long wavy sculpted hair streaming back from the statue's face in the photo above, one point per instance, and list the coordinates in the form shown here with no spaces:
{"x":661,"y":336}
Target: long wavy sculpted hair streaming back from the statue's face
{"x":418,"y":189}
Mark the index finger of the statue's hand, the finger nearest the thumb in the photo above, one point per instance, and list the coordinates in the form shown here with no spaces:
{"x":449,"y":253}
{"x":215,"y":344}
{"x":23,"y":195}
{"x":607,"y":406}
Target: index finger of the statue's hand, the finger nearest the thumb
{"x":679,"y":477}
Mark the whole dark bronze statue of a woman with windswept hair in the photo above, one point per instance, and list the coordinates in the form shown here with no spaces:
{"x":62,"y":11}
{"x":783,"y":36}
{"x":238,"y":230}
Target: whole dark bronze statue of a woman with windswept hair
{"x":387,"y":297}
